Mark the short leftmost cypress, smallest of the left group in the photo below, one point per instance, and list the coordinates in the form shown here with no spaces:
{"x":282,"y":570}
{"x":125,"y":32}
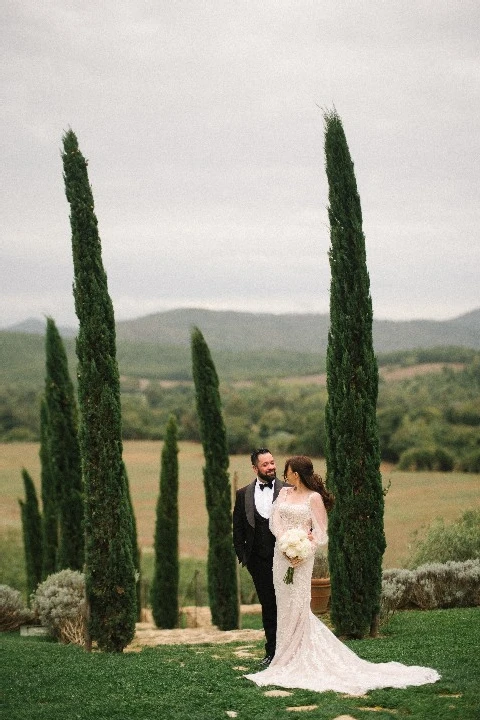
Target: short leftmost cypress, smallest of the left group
{"x":32,"y":534}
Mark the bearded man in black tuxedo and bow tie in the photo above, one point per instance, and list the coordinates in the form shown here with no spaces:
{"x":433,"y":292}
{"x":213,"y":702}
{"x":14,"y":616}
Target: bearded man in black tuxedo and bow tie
{"x":253,"y":541}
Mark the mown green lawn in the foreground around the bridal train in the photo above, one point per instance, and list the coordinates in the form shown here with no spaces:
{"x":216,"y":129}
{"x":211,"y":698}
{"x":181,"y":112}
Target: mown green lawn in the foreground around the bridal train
{"x":43,"y":680}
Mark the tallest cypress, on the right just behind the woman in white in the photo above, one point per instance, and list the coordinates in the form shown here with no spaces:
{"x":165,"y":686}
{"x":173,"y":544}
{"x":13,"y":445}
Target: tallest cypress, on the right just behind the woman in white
{"x":357,"y":540}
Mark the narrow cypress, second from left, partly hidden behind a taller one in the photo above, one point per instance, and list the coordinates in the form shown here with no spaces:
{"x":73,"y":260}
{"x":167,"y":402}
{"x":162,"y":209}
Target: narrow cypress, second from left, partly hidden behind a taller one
{"x":49,"y":502}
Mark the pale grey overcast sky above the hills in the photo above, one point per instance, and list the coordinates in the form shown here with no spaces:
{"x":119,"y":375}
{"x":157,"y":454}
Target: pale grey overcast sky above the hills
{"x":202,"y":124}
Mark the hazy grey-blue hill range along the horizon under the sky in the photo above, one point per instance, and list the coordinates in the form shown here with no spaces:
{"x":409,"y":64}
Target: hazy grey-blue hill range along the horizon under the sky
{"x":302,"y":333}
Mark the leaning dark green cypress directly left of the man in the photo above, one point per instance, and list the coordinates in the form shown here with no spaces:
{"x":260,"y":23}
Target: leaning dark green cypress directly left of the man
{"x":222,"y":576}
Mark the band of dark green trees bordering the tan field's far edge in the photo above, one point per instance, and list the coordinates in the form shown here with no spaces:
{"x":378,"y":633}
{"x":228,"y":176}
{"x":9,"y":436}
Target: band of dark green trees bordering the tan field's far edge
{"x":440,"y":409}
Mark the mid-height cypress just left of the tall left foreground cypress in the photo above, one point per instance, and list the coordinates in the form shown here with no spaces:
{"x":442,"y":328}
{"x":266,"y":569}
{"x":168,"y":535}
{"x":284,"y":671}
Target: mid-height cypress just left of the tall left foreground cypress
{"x":64,"y":452}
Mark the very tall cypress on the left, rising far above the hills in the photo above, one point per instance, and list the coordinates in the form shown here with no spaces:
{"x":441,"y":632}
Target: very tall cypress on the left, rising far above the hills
{"x":110,"y":572}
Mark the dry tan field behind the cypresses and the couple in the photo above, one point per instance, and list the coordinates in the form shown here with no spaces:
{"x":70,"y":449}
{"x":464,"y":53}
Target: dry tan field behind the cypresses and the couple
{"x":412,"y":502}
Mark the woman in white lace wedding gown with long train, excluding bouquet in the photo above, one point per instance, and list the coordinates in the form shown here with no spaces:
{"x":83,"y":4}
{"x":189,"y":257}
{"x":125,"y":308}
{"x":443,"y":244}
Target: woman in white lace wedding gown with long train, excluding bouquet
{"x":308,"y":655}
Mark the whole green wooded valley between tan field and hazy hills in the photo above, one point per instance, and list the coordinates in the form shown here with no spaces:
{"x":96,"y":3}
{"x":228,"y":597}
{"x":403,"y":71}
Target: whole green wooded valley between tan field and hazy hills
{"x":426,"y":420}
